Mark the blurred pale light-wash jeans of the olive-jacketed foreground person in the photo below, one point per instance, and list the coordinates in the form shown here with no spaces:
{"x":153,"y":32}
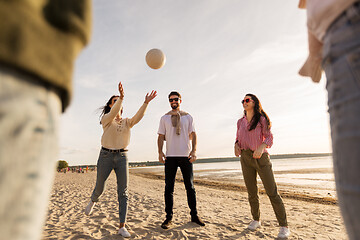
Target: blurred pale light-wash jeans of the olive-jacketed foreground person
{"x":29,"y":115}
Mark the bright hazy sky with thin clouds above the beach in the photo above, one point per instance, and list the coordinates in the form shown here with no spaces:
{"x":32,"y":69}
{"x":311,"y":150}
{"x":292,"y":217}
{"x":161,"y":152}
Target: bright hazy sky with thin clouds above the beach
{"x":217,"y":51}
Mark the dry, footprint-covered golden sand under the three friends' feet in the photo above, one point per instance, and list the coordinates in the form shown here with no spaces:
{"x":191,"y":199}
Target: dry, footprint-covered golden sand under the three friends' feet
{"x":225,"y":212}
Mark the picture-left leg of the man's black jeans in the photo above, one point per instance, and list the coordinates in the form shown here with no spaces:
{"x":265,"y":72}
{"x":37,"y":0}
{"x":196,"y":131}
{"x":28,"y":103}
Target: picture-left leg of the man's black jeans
{"x":171,"y":166}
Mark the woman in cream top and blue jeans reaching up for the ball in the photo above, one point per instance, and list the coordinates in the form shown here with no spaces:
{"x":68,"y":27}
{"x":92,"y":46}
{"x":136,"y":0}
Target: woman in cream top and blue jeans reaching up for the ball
{"x":113,"y":156}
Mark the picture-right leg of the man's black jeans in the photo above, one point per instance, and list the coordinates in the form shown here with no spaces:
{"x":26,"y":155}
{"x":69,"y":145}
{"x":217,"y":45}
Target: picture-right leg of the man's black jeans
{"x":186,"y":168}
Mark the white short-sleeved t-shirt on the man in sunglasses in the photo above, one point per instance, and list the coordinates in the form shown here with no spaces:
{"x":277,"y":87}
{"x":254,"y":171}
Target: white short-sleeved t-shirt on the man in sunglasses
{"x":177,"y":145}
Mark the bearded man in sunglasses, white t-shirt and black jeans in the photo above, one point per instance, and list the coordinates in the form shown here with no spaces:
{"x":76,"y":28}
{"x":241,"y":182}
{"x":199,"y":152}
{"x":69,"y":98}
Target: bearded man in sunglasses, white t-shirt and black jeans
{"x":177,"y":129}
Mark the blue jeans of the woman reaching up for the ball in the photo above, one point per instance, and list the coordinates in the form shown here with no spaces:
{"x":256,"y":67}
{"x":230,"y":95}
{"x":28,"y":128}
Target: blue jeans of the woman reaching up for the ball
{"x":106,"y":163}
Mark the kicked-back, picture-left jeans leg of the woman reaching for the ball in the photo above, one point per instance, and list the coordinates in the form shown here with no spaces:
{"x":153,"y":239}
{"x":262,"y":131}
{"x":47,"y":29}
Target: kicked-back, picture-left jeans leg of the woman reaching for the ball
{"x":104,"y":167}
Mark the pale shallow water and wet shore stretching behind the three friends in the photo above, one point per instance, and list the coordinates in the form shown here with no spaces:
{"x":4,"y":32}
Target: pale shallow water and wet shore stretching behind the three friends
{"x":311,"y":181}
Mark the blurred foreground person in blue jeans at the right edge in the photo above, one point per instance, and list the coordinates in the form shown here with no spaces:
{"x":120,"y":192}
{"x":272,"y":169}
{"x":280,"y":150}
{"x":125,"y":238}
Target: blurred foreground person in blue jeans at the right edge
{"x":334,"y":45}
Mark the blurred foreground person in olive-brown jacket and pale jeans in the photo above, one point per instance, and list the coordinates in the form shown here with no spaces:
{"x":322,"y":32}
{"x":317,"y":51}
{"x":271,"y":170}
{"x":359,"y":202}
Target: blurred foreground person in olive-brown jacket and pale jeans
{"x":39,"y":42}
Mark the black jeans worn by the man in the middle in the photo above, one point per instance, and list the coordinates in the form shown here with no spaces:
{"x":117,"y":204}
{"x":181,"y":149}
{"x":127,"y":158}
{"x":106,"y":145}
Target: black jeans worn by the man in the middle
{"x":171,"y":166}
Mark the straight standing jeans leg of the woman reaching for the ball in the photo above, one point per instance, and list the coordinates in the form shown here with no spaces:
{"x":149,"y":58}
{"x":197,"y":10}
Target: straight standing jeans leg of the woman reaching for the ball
{"x":122,"y":176}
